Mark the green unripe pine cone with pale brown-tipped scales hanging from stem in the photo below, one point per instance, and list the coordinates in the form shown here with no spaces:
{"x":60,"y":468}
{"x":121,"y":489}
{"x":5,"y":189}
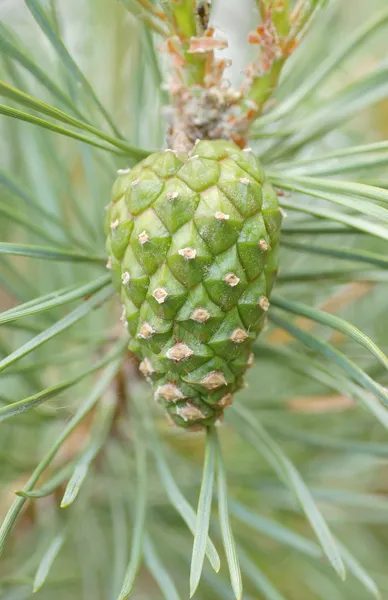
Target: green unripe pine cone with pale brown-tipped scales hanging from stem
{"x":193,"y":248}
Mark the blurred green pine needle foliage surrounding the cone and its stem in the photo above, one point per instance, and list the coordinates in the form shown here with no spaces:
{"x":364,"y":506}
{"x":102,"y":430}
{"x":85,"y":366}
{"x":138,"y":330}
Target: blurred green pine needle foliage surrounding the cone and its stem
{"x":319,"y":395}
